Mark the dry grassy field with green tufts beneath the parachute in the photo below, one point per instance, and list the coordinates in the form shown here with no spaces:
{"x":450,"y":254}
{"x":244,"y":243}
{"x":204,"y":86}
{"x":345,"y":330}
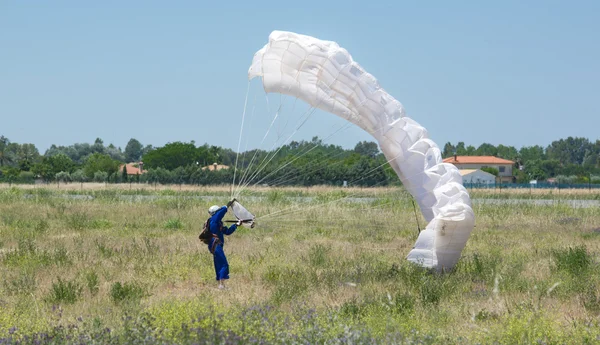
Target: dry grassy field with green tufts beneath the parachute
{"x":122,"y":264}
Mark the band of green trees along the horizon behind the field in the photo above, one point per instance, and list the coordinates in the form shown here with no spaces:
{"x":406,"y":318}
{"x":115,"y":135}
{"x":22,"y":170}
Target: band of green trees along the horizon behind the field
{"x":300,"y":163}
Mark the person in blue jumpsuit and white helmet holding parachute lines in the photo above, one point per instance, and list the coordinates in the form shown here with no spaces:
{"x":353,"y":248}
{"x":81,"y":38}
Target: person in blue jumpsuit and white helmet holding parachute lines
{"x":212,"y":235}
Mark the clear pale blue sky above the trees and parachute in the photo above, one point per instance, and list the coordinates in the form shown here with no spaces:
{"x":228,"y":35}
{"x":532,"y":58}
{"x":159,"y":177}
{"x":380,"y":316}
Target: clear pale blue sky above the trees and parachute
{"x":517,"y":73}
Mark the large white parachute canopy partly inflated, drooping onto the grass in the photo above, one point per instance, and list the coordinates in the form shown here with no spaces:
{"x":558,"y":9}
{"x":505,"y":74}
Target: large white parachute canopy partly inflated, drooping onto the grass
{"x":323,"y":74}
